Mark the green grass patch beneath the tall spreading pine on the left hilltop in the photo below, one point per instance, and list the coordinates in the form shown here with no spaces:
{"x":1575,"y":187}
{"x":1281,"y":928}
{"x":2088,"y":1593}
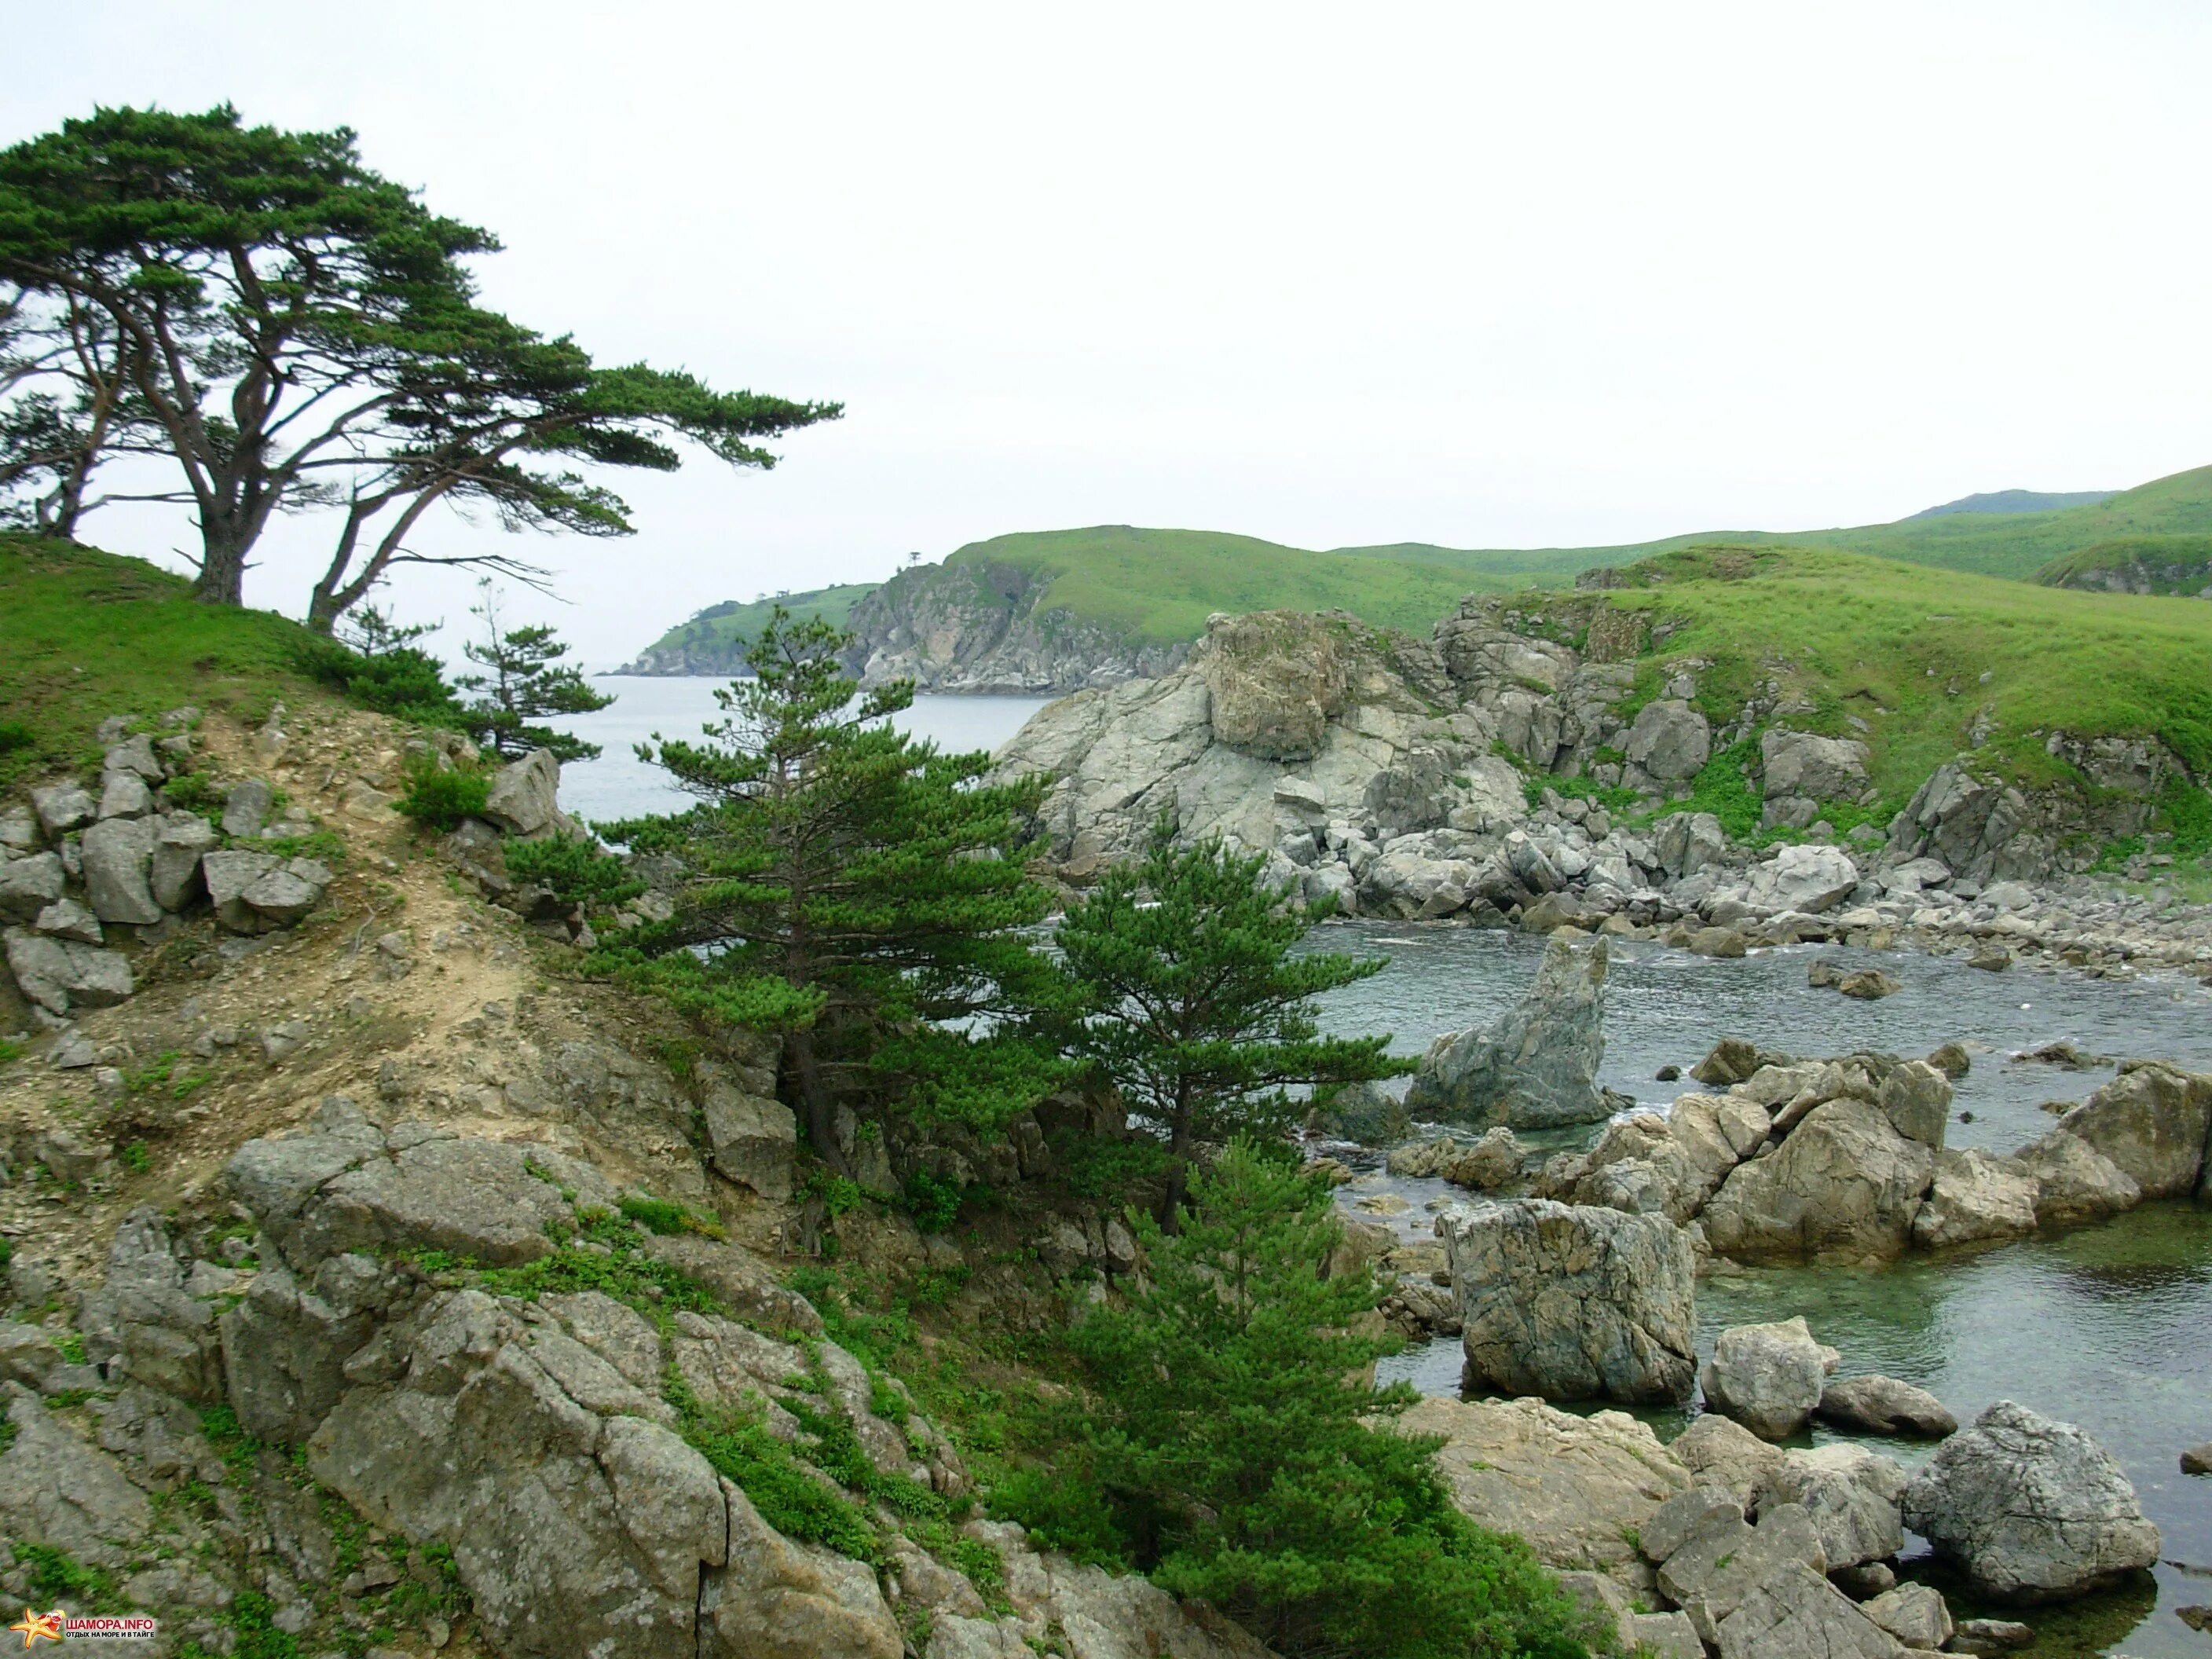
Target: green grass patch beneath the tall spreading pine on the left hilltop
{"x":85,"y":636}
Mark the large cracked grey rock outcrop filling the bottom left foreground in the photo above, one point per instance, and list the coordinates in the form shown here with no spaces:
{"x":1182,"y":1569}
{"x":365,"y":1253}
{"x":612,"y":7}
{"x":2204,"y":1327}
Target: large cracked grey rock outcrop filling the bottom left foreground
{"x":534,"y":1439}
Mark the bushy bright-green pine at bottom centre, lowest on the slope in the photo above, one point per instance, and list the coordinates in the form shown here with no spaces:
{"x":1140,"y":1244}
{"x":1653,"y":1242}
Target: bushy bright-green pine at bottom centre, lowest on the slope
{"x":1251,"y":1463}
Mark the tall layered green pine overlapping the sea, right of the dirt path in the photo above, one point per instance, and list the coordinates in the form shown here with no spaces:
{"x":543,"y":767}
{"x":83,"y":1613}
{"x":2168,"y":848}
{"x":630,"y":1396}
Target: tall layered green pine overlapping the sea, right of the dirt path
{"x":855,"y":893}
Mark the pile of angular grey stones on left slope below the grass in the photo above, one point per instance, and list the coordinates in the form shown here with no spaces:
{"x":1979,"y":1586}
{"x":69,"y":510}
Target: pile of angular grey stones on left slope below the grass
{"x":83,"y":873}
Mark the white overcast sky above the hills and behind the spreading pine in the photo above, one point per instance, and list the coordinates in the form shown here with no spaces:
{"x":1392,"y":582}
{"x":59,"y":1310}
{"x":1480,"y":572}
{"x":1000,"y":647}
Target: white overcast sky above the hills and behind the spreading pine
{"x":1488,"y":275}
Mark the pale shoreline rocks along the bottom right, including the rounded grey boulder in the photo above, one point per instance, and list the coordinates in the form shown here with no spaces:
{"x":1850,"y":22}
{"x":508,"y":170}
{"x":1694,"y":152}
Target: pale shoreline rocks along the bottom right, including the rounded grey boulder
{"x":1724,"y":1543}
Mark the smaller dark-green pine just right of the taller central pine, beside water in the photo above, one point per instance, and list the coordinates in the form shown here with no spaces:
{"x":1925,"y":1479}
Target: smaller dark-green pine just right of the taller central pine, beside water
{"x":1191,"y":1001}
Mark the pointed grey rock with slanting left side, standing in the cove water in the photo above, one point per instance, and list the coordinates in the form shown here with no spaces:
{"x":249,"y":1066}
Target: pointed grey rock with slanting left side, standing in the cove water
{"x":1538,"y":1065}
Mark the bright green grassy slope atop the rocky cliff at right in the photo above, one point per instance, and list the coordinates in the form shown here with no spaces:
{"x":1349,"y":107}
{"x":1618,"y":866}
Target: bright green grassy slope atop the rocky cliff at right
{"x":1923,"y":656}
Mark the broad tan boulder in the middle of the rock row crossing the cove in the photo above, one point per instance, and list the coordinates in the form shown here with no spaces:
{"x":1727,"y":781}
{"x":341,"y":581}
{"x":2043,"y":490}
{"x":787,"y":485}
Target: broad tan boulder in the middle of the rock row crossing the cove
{"x":1844,"y":1187}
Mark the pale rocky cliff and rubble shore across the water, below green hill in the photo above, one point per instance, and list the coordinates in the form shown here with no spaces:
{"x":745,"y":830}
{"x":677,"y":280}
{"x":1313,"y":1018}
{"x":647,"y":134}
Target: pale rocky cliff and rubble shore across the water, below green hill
{"x":1392,"y":775}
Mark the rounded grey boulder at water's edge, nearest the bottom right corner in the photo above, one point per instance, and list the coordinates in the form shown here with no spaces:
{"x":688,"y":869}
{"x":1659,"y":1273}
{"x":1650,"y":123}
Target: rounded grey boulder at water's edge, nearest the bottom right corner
{"x":2030,"y":1510}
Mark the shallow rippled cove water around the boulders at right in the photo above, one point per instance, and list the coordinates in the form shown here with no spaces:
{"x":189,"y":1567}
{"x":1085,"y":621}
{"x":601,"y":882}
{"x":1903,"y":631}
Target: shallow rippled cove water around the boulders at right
{"x":2105,"y":1326}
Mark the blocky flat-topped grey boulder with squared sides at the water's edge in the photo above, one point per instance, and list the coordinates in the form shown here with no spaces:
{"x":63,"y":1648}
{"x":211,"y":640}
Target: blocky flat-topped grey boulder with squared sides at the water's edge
{"x":1574,"y":1302}
